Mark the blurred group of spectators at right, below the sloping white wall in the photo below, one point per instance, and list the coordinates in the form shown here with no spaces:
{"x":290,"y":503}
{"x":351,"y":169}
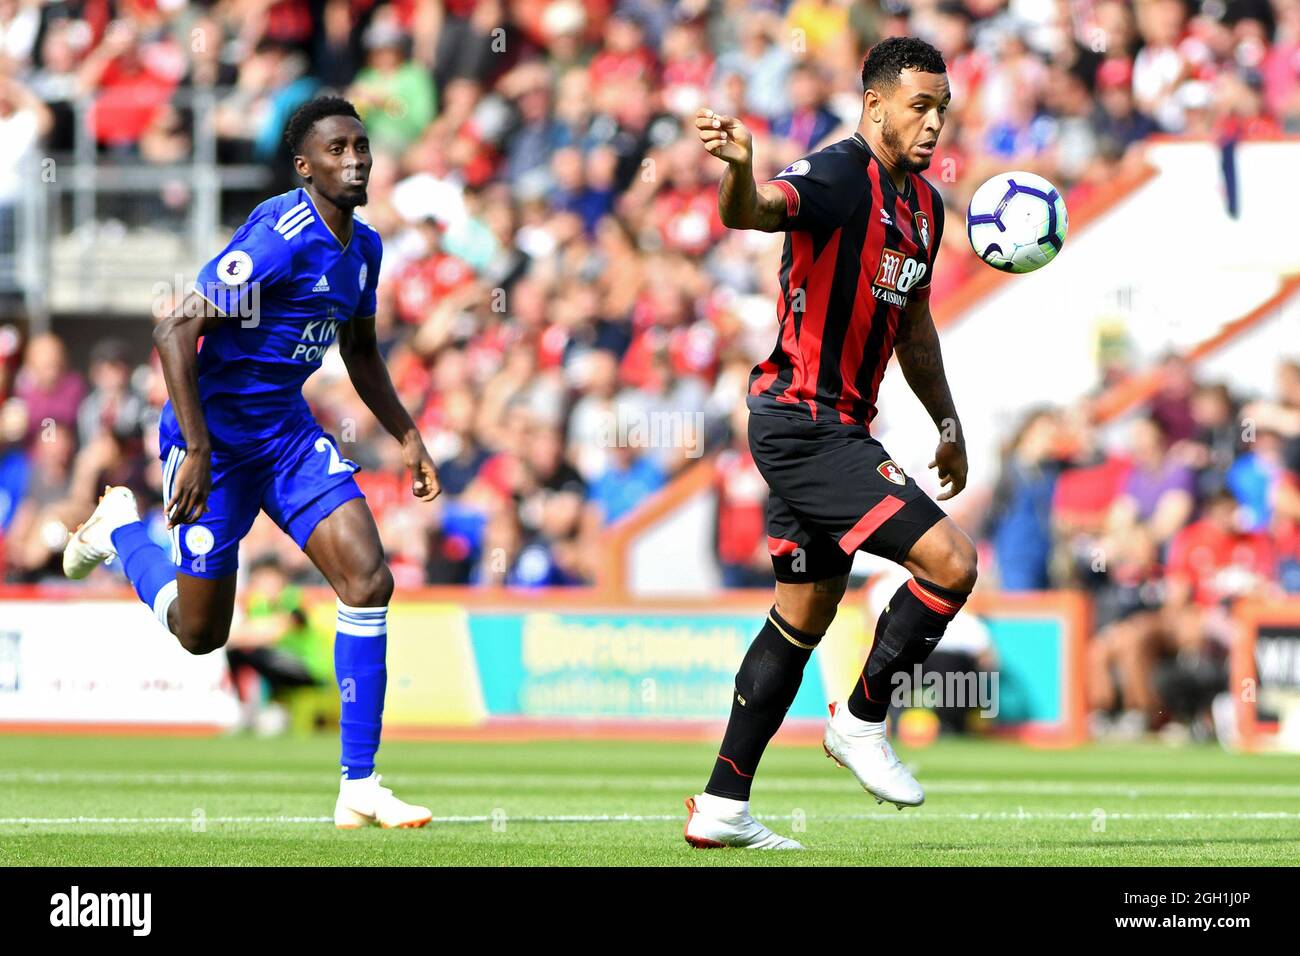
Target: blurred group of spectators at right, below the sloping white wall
{"x":1180,"y":511}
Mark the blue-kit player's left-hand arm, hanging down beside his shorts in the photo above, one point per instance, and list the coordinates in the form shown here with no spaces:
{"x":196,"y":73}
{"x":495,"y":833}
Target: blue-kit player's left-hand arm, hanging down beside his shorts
{"x":177,"y":343}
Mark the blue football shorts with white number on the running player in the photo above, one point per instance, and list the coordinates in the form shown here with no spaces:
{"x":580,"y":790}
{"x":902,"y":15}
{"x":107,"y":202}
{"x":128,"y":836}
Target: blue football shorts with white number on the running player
{"x":298,"y":478}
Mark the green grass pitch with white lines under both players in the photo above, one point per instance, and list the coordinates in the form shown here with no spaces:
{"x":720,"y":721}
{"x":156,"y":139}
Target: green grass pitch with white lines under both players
{"x":248,"y":802}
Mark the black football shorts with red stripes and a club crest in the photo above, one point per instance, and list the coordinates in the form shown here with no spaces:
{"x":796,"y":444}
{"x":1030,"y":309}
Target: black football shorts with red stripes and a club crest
{"x":834,"y":491}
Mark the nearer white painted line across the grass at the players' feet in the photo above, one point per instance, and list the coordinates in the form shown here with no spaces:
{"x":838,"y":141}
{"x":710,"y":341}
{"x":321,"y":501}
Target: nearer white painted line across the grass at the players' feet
{"x":1000,"y":816}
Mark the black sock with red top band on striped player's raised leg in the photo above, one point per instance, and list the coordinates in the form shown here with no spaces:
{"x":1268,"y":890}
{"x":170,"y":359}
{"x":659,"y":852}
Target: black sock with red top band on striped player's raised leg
{"x":909,"y":629}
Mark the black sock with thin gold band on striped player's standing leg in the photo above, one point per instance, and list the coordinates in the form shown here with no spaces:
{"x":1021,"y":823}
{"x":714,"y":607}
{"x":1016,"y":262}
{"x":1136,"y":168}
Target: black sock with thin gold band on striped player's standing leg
{"x":766,"y":685}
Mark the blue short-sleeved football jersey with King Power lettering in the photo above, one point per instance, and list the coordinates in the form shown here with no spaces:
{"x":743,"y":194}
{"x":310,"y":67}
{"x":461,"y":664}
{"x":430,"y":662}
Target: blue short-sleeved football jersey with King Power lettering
{"x":287,"y":283}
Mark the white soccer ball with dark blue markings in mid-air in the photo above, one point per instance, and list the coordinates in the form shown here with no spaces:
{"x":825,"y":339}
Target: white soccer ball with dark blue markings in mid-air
{"x":1017,"y":222}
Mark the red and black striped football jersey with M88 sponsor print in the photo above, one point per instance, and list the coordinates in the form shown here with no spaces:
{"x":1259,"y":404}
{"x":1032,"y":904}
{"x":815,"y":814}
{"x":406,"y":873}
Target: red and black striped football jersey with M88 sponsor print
{"x":857,"y":252}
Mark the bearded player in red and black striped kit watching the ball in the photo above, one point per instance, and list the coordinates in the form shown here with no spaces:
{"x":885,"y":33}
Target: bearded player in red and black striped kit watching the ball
{"x":863,"y":230}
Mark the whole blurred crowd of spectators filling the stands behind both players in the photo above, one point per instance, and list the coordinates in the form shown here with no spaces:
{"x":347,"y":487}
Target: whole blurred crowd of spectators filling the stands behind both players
{"x":554,"y":262}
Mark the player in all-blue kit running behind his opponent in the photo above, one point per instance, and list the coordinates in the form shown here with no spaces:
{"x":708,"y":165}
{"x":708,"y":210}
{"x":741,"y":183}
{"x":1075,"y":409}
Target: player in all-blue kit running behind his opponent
{"x":239,"y":438}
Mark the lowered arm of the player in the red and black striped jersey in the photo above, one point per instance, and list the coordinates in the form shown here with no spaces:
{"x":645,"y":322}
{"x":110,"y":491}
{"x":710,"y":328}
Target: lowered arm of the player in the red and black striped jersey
{"x":922,"y":362}
